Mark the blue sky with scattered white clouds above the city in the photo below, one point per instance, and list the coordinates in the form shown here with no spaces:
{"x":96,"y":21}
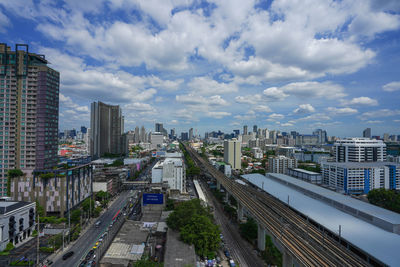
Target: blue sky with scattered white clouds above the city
{"x":218,"y":65}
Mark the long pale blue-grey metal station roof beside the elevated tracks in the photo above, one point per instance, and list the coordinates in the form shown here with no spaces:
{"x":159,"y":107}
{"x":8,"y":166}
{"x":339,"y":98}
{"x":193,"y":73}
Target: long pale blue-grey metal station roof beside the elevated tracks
{"x":373,"y":240}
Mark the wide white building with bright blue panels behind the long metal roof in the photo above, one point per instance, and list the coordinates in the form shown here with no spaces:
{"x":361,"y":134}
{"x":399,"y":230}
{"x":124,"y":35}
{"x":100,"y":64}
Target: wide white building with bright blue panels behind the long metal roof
{"x":360,"y":177}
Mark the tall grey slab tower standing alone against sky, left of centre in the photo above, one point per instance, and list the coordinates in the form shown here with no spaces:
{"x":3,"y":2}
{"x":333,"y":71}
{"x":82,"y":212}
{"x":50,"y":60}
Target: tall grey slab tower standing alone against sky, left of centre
{"x":106,"y":123}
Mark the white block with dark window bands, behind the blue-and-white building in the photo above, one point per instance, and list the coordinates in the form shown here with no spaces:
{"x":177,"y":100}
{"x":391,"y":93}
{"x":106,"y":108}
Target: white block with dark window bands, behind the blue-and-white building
{"x":359,"y":150}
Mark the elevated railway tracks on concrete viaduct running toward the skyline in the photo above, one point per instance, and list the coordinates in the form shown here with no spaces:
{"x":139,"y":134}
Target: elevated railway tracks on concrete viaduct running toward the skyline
{"x":302,"y":240}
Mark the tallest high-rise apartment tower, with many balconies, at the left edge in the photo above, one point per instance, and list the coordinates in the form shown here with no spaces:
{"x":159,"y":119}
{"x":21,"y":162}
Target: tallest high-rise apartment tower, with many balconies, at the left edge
{"x":29,"y":95}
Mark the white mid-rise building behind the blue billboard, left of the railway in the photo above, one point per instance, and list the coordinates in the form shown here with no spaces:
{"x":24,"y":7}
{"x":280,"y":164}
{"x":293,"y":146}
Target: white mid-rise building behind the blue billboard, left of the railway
{"x":171,"y":171}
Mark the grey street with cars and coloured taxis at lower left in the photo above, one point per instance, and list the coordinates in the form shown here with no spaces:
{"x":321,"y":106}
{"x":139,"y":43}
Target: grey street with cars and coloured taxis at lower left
{"x":86,"y":241}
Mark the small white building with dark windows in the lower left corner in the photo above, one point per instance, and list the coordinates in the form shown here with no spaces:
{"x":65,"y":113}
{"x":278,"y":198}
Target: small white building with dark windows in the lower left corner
{"x":17,"y":222}
